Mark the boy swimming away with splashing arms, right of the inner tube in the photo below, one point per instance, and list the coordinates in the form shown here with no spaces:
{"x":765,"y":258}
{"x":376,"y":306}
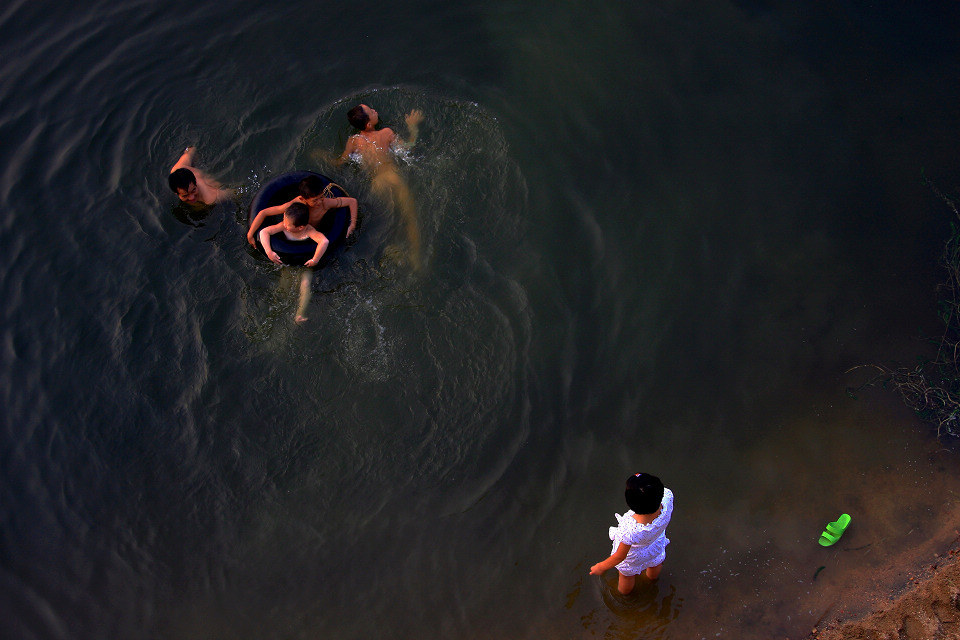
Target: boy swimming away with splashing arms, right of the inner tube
{"x":373,"y":148}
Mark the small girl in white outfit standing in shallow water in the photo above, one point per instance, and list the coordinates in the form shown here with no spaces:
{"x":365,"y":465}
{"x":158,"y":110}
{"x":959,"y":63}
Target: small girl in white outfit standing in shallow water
{"x":639,"y":541}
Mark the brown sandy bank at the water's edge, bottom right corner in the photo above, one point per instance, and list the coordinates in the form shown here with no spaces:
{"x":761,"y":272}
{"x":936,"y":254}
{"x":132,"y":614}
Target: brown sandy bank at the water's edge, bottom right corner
{"x":926,"y":608}
